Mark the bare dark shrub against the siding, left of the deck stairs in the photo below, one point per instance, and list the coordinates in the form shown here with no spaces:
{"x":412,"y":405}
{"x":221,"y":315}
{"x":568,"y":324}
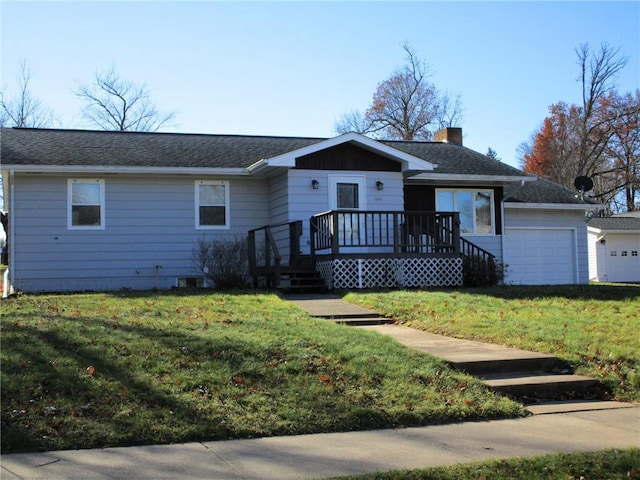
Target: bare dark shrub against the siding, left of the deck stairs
{"x":223,"y":262}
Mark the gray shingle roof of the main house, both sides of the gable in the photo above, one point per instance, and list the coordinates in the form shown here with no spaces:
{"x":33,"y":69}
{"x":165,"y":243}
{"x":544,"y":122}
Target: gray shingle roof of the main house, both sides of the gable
{"x":50,"y":147}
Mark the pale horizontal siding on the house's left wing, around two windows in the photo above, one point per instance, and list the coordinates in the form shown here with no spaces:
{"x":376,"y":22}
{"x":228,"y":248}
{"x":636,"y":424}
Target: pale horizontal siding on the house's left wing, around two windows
{"x":149,"y":238}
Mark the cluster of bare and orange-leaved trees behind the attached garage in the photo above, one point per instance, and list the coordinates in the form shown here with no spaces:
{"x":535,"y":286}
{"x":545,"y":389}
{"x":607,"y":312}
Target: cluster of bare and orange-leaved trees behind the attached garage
{"x":598,"y":138}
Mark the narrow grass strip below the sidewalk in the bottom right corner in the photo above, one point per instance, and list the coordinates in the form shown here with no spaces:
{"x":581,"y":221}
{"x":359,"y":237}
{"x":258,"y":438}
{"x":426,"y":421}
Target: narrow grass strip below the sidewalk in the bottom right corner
{"x":610,"y":464}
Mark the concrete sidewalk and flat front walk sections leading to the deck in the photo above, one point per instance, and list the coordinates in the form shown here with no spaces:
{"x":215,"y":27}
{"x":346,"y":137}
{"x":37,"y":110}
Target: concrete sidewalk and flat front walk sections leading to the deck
{"x":569,"y":427}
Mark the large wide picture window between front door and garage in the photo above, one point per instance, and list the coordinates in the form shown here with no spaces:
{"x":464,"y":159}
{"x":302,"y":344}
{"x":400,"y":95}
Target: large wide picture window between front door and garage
{"x":475,"y":208}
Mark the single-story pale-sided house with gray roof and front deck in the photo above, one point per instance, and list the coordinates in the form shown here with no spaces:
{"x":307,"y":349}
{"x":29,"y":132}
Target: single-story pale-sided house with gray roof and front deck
{"x":94,"y":210}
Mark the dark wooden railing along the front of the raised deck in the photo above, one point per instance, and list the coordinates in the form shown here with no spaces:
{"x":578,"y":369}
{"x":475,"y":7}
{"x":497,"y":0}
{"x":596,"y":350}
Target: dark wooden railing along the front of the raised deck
{"x":395,"y":233}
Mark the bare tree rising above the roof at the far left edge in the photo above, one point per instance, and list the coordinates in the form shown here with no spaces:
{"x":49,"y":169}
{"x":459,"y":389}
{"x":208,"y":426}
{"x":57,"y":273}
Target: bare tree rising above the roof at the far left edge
{"x":23,"y":110}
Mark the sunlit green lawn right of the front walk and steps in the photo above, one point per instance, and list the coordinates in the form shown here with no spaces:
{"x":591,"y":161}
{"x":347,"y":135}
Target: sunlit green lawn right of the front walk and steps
{"x":593,"y":327}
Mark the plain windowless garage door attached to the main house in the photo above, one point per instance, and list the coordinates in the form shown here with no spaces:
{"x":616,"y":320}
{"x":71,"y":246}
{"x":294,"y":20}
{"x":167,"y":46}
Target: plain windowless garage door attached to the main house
{"x":540,"y":256}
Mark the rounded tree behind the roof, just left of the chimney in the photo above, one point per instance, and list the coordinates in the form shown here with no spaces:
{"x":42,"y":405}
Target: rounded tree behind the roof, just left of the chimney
{"x":405,"y":106}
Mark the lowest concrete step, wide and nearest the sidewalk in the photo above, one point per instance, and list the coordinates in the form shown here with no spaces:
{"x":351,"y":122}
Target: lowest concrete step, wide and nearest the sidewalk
{"x":533,"y":387}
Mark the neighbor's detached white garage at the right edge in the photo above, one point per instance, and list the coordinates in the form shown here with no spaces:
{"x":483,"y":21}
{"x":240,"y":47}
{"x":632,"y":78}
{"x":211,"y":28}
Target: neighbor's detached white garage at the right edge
{"x":614,"y":248}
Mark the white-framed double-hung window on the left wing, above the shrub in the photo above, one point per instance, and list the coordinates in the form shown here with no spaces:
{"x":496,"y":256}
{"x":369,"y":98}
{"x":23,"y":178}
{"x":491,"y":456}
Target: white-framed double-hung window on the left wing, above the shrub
{"x":212,"y":204}
